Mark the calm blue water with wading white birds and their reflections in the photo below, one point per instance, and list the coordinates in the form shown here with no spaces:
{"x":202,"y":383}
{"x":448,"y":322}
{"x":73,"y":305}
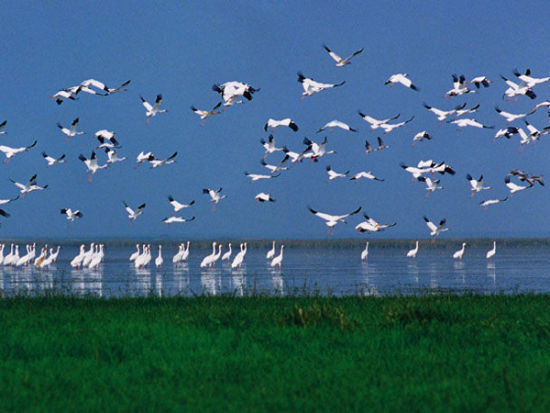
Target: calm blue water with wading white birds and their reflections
{"x":325,"y":271}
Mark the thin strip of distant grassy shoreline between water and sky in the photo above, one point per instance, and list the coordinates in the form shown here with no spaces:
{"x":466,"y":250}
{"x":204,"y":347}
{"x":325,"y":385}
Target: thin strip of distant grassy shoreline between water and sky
{"x":337,"y":243}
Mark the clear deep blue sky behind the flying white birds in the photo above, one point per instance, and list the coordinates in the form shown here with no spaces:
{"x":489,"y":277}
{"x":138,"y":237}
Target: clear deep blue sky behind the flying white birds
{"x":180,"y":49}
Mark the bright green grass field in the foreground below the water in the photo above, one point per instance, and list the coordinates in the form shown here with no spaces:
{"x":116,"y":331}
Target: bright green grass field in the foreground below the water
{"x":430,"y":353}
